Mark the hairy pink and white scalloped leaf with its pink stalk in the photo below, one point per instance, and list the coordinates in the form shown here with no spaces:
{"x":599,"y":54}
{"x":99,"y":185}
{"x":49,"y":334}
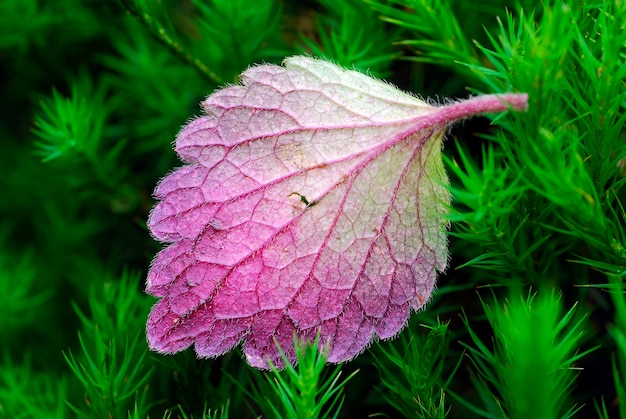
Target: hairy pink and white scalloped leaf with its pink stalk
{"x":313,"y":199}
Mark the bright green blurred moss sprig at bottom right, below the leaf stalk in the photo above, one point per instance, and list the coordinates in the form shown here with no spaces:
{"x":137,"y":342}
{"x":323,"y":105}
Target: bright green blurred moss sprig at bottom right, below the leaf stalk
{"x":531,"y":366}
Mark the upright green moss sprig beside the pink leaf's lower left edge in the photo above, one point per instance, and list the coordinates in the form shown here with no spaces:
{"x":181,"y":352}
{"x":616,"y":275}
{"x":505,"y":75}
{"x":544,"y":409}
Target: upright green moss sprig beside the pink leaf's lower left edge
{"x":113,"y":374}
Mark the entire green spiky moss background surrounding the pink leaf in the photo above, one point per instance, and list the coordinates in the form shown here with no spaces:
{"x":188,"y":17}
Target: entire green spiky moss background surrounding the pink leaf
{"x":93,"y":95}
